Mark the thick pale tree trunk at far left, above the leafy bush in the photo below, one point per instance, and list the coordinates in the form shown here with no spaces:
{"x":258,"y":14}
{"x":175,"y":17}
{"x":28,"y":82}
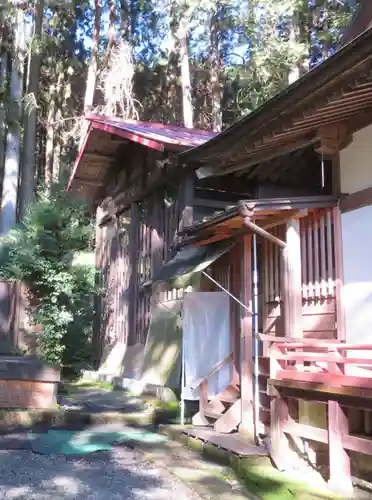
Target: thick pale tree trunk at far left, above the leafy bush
{"x":8,"y":215}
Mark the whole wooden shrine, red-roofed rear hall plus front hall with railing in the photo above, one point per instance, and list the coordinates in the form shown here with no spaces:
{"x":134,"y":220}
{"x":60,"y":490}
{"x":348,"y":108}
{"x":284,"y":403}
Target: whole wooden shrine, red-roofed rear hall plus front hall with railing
{"x":282,"y":200}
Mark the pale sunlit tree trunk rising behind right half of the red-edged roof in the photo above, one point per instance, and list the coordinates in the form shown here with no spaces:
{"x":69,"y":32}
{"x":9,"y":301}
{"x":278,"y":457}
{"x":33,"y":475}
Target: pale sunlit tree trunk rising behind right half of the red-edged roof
{"x":188,"y":112}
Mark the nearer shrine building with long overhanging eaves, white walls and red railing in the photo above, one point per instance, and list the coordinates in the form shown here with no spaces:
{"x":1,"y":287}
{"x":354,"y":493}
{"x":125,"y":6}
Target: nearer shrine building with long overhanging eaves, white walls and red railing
{"x":300,"y":265}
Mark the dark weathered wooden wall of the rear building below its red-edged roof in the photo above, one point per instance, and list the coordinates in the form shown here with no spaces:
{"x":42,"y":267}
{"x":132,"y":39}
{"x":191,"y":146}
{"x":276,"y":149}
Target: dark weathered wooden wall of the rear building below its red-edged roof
{"x":130,"y":249}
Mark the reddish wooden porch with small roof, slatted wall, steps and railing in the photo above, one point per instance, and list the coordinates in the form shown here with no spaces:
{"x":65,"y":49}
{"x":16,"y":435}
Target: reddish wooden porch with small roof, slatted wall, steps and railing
{"x":292,"y":325}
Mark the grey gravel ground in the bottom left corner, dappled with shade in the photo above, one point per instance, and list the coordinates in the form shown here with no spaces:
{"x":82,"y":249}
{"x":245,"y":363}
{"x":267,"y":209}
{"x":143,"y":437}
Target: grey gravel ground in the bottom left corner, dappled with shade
{"x":121,"y":474}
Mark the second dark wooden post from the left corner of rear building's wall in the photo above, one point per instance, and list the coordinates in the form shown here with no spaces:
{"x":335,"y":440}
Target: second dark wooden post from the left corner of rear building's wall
{"x":133,"y":279}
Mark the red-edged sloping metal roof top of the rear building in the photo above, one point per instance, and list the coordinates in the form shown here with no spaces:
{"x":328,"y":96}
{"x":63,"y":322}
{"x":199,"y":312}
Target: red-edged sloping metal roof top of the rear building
{"x":153,"y":135}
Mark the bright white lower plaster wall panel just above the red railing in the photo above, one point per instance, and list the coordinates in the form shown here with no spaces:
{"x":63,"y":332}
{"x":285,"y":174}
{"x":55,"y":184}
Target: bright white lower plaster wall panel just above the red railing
{"x":357,"y":256}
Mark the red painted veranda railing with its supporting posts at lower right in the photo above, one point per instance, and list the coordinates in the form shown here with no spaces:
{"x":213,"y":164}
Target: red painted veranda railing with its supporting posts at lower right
{"x":316,"y":370}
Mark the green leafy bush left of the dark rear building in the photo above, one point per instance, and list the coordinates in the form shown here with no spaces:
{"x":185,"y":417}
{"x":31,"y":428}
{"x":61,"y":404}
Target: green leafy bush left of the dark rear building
{"x":40,"y":253}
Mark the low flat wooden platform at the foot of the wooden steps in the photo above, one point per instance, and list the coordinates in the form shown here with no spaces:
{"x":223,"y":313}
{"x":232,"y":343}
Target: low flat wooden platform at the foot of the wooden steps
{"x":231,"y":442}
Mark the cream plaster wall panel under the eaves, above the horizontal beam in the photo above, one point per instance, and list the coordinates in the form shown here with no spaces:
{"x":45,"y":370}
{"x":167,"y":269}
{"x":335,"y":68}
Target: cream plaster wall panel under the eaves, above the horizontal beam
{"x":356,"y":163}
